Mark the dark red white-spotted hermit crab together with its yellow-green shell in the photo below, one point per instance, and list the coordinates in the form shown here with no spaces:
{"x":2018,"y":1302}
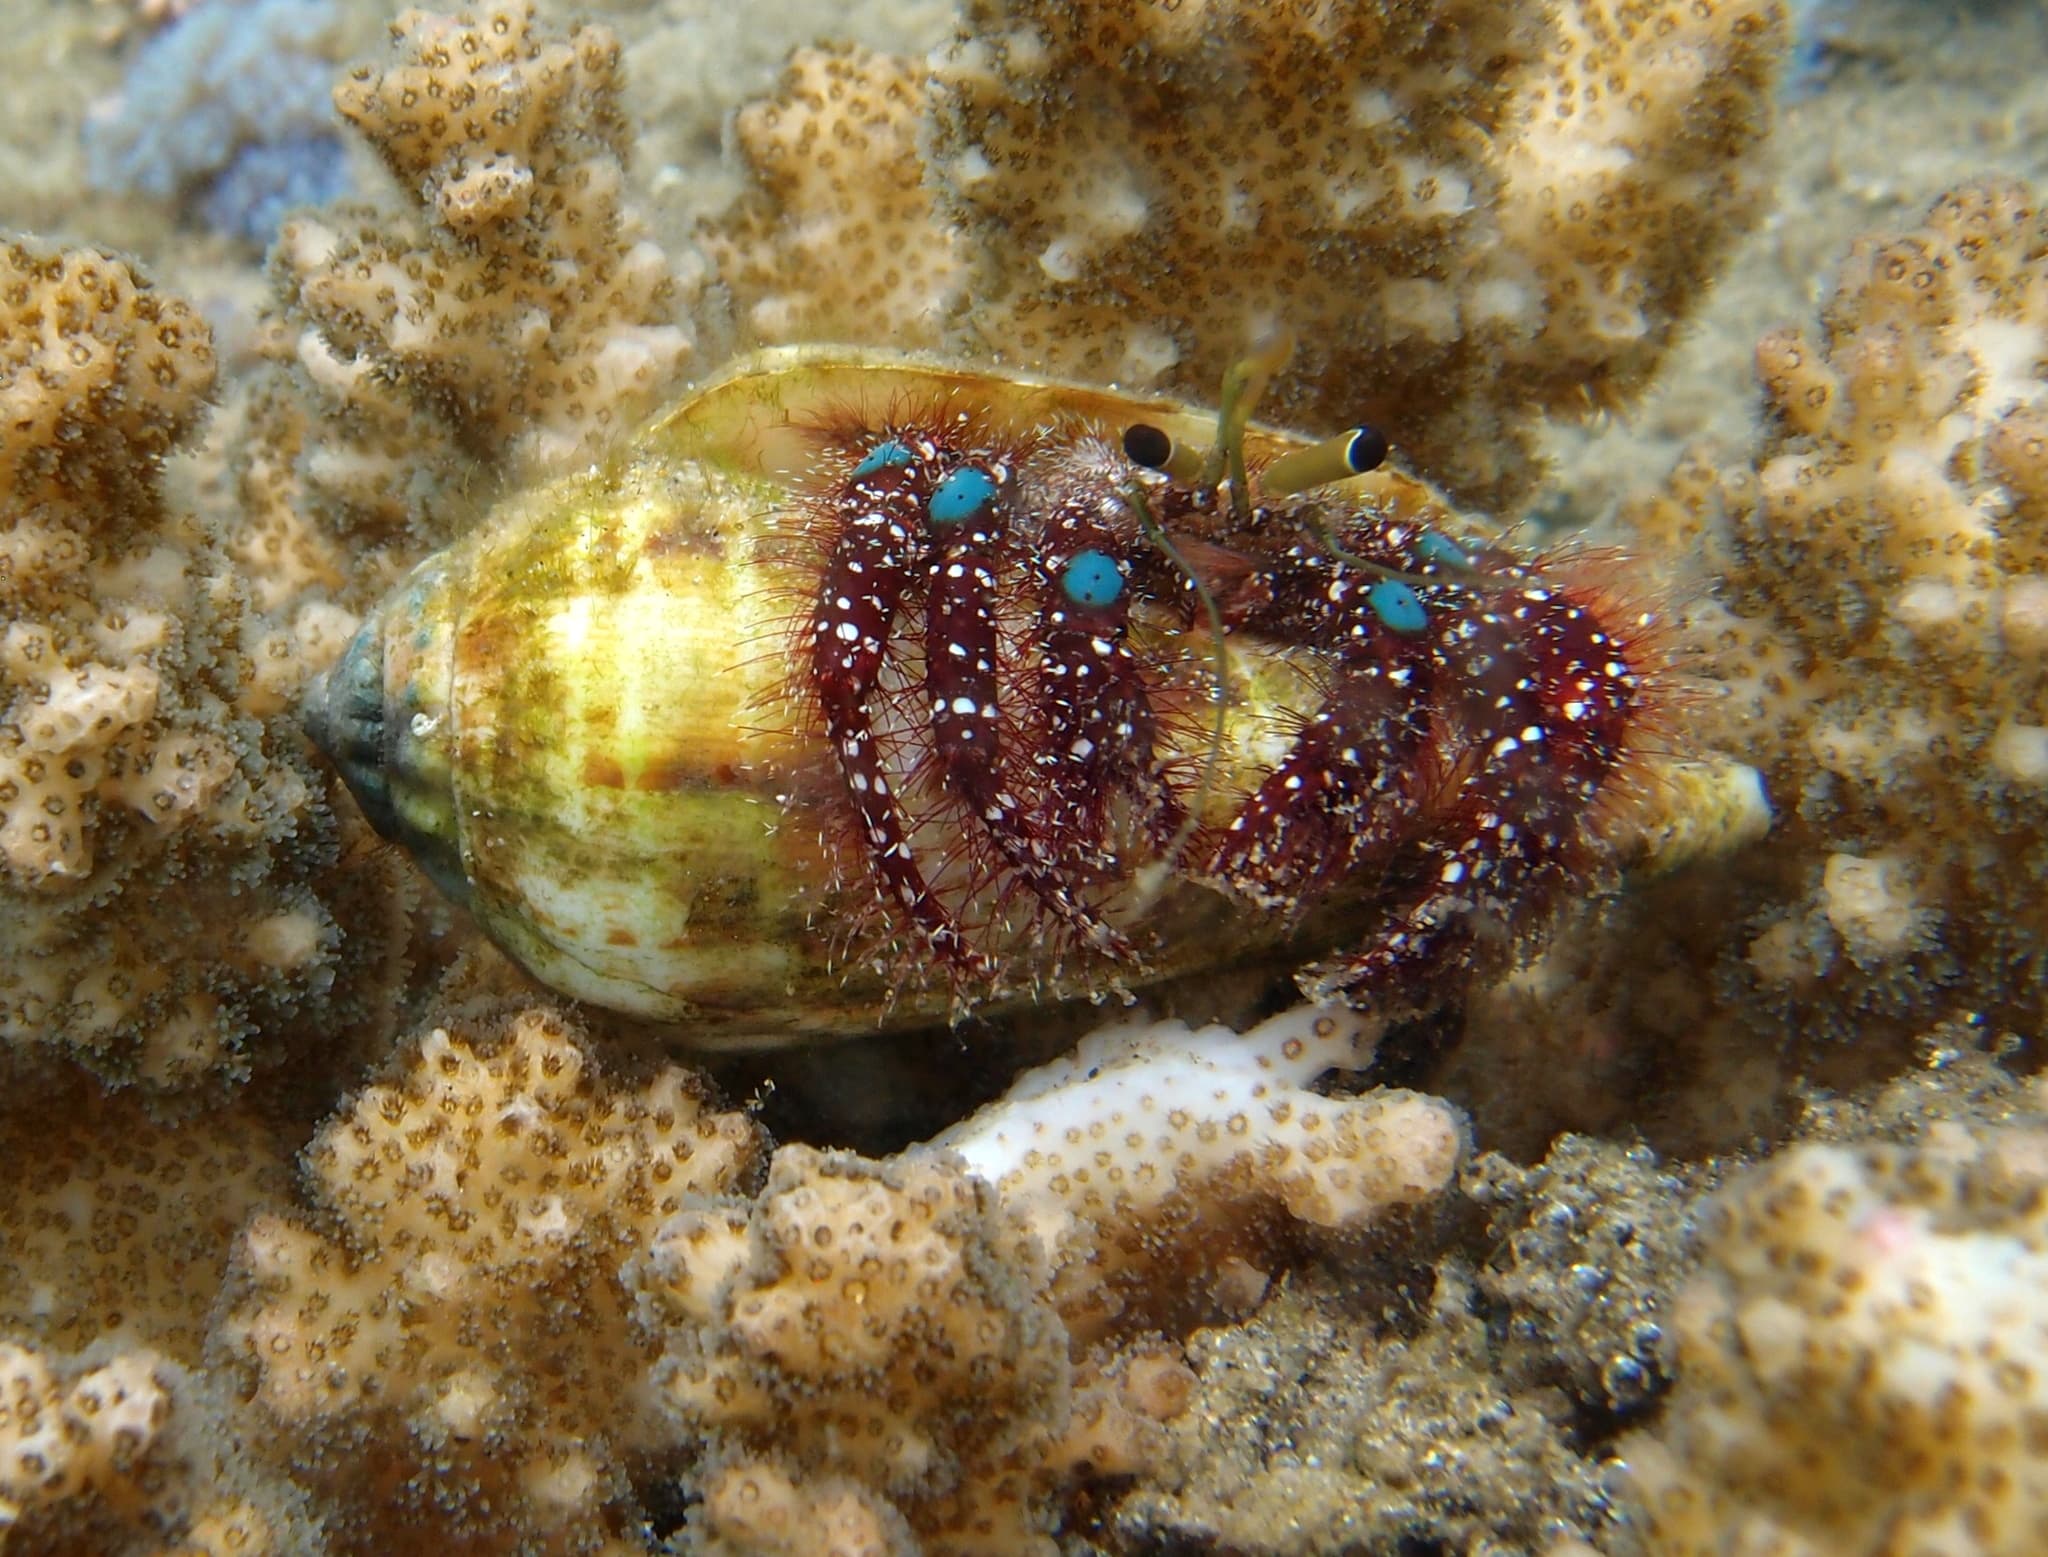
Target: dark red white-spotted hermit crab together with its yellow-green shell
{"x":865,"y":691}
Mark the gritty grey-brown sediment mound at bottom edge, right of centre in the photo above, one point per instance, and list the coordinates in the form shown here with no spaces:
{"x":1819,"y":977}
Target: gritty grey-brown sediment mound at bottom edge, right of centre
{"x":1365,"y":1417}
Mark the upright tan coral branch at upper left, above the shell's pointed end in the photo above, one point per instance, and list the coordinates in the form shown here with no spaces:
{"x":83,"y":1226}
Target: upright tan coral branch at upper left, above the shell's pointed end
{"x":513,"y":319}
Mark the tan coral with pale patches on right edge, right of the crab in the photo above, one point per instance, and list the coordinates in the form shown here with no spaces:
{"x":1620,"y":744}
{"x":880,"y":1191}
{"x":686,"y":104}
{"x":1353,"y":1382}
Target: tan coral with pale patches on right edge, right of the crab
{"x":1883,"y":620}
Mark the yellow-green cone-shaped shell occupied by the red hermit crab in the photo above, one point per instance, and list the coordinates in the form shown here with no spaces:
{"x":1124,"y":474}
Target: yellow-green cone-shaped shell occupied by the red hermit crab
{"x":581,"y":722}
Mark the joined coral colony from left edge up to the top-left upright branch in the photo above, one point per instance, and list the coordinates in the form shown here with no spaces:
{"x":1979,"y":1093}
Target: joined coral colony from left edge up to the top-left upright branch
{"x":148,"y":655}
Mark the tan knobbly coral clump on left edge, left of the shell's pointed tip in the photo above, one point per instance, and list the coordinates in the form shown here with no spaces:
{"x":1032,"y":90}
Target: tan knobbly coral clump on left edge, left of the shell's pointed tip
{"x":128,"y":755}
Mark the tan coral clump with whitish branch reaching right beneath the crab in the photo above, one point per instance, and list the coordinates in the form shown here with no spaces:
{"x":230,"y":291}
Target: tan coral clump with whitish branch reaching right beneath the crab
{"x":908,"y":1349}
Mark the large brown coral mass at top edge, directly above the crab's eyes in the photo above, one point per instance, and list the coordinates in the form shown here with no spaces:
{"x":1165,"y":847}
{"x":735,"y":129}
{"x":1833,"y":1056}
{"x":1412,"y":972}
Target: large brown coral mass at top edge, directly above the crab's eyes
{"x":1476,"y":214}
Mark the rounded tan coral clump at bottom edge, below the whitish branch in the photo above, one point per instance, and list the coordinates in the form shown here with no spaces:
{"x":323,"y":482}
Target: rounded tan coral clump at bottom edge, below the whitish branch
{"x":867,"y":1349}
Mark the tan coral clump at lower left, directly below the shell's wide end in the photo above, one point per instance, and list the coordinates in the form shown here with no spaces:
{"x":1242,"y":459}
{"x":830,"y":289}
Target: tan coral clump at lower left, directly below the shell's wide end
{"x":458,"y":1302}
